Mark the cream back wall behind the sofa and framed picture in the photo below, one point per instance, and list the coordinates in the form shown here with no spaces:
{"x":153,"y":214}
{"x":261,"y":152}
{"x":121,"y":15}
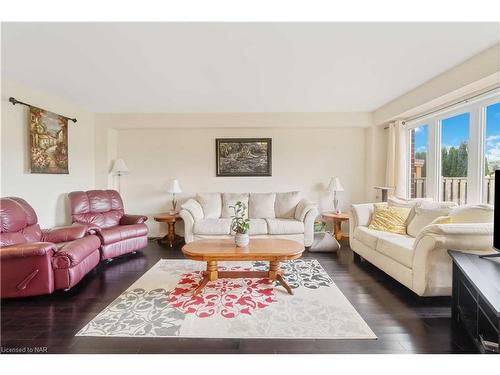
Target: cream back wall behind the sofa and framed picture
{"x":304,"y":158}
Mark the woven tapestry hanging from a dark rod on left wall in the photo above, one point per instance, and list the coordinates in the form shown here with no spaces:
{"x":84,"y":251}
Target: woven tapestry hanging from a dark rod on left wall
{"x":48,"y":142}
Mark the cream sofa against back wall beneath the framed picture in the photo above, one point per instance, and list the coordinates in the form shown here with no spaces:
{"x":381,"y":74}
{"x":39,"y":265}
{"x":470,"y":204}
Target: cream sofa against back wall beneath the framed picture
{"x":282,"y":215}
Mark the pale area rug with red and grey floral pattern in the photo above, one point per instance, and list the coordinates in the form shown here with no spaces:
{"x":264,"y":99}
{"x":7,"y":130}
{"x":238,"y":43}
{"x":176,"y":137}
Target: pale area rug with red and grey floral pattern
{"x":161,"y":304}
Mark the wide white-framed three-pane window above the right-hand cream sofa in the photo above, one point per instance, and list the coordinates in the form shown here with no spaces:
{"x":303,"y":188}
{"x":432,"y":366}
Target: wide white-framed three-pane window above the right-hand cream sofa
{"x":453,"y":155}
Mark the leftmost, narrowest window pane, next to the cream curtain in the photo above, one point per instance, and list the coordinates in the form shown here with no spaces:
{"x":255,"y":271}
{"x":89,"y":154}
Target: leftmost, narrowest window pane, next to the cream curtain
{"x":419,"y":141}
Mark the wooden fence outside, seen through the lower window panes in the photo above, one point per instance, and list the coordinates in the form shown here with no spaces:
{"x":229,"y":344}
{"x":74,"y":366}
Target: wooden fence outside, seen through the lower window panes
{"x":455,"y":189}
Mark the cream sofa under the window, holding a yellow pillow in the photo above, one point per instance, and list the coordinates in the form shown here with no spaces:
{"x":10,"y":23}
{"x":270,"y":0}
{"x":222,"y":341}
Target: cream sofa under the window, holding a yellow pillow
{"x":419,"y":260}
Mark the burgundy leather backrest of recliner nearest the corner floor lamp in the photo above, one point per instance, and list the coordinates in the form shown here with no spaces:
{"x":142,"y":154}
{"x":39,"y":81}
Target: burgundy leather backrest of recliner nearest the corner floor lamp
{"x":103,"y":208}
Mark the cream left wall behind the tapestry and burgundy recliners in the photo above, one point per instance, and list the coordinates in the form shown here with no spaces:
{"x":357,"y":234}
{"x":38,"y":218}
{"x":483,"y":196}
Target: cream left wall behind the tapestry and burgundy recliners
{"x":45,"y":192}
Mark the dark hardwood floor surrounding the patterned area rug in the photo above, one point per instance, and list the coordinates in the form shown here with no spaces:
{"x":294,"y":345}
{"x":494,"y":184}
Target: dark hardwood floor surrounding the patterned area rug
{"x":403,"y":322}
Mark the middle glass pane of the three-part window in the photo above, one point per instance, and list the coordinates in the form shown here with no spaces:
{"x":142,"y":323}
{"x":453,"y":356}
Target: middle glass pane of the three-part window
{"x":454,"y":158}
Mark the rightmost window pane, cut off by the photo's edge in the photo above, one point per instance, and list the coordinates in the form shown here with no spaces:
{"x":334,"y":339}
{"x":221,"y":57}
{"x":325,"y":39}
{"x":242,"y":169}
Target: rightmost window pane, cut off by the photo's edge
{"x":491,"y":151}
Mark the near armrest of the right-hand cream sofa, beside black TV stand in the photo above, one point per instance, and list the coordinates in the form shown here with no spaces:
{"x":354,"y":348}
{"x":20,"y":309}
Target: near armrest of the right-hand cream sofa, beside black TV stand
{"x":474,"y":238}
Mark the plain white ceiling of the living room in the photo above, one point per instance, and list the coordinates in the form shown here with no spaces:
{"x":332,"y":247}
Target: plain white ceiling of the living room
{"x":235,"y":67}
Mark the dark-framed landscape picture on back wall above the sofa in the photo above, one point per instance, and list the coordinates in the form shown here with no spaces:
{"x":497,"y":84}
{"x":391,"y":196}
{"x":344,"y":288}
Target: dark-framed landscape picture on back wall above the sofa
{"x":239,"y":157}
